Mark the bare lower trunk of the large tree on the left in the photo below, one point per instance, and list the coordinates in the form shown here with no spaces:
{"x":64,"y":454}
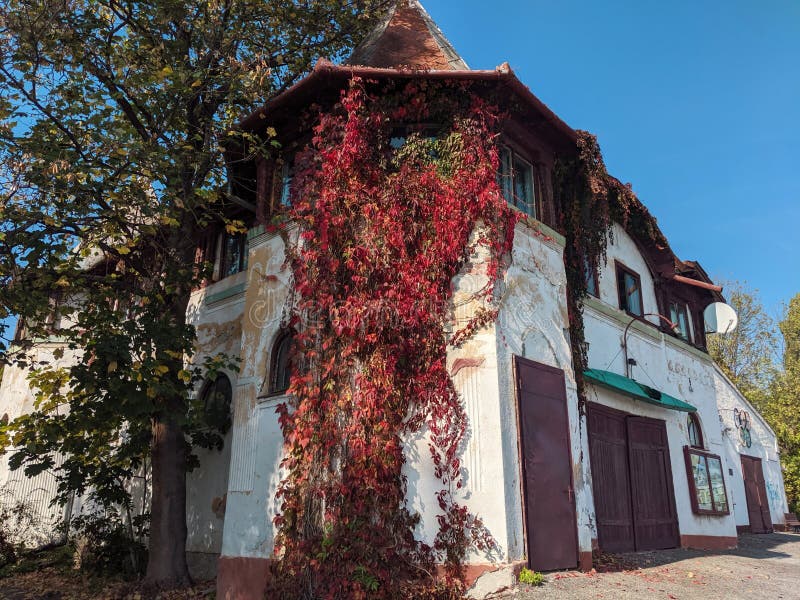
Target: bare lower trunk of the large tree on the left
{"x":166,"y":566}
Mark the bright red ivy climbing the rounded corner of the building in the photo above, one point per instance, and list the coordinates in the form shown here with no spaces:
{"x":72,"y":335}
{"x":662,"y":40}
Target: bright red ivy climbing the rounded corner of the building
{"x":386,"y":220}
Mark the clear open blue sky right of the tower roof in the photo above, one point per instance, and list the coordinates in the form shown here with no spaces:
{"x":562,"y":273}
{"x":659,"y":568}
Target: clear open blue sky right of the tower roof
{"x":696,"y":103}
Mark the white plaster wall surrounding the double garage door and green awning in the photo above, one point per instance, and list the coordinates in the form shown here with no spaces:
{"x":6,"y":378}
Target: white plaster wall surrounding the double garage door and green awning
{"x":664,"y":363}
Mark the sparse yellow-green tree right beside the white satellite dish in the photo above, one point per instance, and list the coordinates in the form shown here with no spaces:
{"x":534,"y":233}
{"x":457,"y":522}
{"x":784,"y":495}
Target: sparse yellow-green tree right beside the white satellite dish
{"x":747,"y":355}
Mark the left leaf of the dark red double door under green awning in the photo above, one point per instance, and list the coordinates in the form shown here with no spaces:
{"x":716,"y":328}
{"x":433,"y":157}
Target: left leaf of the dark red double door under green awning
{"x":608,"y":451}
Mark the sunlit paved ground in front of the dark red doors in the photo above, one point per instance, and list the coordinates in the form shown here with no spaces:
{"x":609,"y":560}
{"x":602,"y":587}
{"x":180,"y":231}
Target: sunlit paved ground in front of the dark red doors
{"x":764,"y":567}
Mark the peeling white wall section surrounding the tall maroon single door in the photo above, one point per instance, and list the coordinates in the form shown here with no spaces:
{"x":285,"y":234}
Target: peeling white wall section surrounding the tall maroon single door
{"x":533,"y":323}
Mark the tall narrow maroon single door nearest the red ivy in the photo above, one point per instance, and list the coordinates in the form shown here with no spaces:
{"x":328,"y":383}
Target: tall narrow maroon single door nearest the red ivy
{"x":547,"y":467}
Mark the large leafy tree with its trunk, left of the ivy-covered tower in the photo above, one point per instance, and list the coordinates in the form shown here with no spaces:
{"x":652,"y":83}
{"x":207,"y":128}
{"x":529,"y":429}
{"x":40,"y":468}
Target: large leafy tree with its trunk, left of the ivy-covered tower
{"x":114,"y":117}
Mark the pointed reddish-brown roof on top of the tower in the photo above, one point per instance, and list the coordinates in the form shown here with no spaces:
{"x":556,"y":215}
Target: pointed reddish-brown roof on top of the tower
{"x":407,"y":38}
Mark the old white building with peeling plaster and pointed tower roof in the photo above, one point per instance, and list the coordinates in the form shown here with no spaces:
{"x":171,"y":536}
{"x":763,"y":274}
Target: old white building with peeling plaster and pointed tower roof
{"x":665,"y":453}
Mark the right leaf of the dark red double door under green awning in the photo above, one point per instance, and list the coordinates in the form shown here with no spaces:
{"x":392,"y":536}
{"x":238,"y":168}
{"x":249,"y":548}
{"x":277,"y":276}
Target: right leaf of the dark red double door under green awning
{"x":655,"y":517}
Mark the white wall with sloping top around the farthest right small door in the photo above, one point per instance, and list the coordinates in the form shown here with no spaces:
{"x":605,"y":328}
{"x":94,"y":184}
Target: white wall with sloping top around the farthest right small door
{"x":764,"y":446}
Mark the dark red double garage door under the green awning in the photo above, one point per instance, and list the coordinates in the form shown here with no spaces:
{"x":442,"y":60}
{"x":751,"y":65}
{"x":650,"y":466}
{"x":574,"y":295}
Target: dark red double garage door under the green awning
{"x":632,"y":481}
